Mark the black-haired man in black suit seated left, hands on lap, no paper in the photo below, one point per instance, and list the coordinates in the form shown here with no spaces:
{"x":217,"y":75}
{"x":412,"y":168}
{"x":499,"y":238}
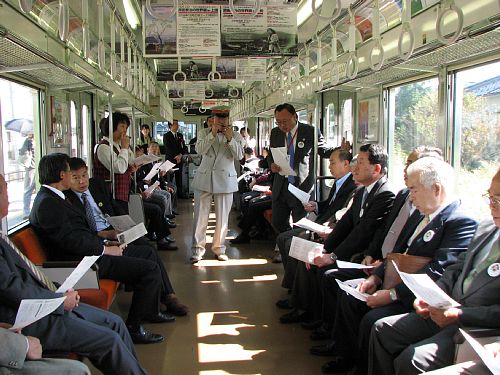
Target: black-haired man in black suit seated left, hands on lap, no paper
{"x":66,"y":234}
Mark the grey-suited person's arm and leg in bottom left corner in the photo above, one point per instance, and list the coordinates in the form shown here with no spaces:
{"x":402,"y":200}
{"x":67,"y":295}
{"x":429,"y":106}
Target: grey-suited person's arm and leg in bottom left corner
{"x":23,"y":355}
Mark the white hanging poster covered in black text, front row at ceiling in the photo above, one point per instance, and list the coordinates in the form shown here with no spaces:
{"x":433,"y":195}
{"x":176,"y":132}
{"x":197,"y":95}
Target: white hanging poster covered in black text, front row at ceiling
{"x":198,"y":31}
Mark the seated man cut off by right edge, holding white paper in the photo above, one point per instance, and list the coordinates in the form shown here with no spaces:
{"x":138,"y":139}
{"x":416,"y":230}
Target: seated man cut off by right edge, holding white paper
{"x":423,"y":341}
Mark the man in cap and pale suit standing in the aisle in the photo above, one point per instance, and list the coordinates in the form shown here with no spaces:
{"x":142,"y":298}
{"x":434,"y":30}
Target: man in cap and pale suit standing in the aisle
{"x":216,"y":177}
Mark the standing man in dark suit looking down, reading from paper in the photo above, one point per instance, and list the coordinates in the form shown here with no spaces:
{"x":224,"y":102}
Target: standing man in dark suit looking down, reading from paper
{"x":298,"y":138}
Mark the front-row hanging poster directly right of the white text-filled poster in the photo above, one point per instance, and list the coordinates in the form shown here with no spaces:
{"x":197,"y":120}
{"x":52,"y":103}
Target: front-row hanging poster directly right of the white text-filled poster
{"x":243,"y":36}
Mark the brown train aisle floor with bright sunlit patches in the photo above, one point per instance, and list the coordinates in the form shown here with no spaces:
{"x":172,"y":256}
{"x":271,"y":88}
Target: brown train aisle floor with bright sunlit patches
{"x":233,"y":326}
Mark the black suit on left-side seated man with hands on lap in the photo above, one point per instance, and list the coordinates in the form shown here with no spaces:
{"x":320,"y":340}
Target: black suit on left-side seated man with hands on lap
{"x":65,"y":235}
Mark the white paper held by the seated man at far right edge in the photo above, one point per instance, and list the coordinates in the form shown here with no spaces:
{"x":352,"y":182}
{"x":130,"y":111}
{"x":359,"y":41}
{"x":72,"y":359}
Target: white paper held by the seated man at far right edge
{"x":425,"y":288}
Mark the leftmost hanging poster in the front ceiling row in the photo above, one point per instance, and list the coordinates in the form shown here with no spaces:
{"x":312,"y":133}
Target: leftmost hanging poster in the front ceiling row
{"x":160,"y":37}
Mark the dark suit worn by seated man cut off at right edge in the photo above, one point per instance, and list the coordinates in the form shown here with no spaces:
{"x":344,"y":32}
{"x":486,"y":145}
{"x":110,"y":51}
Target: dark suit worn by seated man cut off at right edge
{"x":413,"y":340}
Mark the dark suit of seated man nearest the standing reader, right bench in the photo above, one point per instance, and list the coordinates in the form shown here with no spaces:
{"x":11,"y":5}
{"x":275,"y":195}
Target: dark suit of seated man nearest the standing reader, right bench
{"x":326,"y":212}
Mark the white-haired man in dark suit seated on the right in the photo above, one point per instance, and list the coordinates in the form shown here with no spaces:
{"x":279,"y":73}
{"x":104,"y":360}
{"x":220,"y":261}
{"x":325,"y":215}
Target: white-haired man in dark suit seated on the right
{"x":443,"y":234}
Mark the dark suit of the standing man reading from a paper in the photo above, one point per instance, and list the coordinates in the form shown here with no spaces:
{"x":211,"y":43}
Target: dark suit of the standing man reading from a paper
{"x":283,"y":201}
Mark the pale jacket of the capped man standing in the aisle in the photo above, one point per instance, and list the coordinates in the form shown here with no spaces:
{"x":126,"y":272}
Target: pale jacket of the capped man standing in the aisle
{"x":216,"y":173}
